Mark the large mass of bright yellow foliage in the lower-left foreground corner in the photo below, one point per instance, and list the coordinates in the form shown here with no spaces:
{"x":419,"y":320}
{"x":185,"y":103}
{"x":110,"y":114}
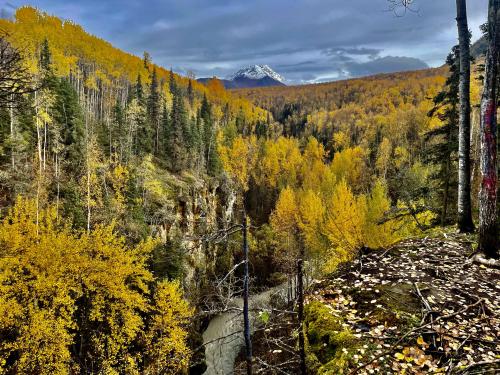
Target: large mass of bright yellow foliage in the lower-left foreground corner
{"x":70,"y":299}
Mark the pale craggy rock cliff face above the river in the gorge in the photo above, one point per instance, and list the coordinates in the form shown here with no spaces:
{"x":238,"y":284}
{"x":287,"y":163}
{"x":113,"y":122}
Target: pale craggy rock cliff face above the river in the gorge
{"x":194,"y":210}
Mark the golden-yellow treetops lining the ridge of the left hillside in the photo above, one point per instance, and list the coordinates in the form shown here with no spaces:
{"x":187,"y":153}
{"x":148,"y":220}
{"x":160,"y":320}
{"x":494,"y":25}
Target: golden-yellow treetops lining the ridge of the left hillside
{"x":104,"y":67}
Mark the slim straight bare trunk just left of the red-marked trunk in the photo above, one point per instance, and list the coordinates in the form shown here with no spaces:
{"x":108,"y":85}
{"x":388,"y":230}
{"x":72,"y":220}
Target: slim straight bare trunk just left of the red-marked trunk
{"x":465,"y":223}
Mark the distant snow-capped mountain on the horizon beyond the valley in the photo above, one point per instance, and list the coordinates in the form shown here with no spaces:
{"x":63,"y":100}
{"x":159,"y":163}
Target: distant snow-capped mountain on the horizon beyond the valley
{"x":251,"y":76}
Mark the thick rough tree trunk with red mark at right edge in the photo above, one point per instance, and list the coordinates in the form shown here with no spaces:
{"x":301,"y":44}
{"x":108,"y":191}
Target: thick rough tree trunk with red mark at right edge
{"x":488,"y":235}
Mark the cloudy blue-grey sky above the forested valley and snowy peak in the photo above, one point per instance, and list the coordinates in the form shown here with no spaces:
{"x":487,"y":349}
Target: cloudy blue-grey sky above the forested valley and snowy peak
{"x":303,"y":40}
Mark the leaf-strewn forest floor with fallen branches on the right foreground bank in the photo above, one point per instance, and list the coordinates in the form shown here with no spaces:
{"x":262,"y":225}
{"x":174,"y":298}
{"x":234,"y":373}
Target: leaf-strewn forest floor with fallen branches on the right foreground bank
{"x":422,"y":306}
